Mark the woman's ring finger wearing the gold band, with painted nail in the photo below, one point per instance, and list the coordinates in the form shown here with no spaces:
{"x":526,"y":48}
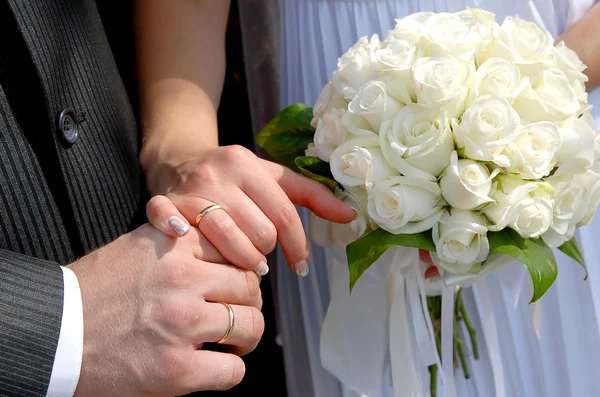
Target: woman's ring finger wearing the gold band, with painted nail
{"x":222,"y":231}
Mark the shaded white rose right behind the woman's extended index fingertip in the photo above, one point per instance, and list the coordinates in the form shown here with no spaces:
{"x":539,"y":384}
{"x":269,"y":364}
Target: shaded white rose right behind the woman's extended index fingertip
{"x":346,"y":233}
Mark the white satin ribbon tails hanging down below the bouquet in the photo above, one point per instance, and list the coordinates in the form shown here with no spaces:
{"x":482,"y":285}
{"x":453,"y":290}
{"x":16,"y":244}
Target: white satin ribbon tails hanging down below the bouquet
{"x":357,"y":320}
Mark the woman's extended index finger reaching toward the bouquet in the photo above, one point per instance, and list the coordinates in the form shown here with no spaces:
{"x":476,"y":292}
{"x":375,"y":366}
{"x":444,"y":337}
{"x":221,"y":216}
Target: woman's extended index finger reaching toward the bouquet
{"x":310,"y":194}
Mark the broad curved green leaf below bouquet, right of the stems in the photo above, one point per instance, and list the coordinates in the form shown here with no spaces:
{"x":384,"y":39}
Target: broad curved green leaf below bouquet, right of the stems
{"x":533,"y":253}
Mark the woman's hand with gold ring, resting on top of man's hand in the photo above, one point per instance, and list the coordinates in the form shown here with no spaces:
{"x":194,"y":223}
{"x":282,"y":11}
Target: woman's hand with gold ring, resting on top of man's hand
{"x":258,"y":199}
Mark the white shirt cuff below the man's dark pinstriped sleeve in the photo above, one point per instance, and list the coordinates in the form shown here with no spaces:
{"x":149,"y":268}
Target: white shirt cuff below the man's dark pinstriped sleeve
{"x":69,"y":351}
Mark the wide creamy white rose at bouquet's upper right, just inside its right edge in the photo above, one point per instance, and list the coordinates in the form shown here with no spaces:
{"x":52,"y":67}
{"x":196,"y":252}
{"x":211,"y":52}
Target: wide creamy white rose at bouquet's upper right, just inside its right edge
{"x":549,"y":97}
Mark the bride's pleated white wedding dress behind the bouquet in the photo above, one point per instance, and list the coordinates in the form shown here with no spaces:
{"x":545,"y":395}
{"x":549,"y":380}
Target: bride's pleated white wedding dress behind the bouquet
{"x":549,"y":349}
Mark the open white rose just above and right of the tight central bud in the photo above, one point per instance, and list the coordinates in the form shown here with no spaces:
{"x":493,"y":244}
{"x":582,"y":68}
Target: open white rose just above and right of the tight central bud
{"x":486,"y":129}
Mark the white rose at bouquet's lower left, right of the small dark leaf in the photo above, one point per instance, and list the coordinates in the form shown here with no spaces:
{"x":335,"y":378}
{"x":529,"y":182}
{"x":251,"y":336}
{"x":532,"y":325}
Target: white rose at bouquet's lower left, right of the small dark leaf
{"x":353,"y":164}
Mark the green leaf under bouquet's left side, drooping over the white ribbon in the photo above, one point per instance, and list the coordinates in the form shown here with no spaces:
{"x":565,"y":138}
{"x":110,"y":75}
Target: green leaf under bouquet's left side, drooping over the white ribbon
{"x":363,"y":252}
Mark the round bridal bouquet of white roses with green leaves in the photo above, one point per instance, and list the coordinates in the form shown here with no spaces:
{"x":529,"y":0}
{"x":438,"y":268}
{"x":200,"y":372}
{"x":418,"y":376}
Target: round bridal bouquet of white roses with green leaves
{"x":455,"y":135}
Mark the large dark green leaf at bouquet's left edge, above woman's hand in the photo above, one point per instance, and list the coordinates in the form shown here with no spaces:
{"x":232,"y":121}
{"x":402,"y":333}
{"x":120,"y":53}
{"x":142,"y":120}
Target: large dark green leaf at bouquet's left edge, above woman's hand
{"x":287,"y":136}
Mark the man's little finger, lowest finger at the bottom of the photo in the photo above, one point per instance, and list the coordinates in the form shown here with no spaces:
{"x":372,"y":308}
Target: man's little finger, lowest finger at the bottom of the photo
{"x":210,"y":370}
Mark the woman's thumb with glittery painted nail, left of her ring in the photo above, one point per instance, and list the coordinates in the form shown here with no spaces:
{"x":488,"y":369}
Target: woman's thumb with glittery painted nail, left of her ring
{"x":164,"y":216}
